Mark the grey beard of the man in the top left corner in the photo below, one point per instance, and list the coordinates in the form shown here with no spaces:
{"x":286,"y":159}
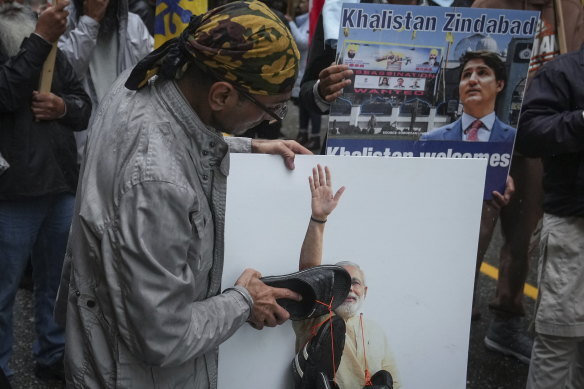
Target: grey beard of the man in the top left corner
{"x":16,"y":23}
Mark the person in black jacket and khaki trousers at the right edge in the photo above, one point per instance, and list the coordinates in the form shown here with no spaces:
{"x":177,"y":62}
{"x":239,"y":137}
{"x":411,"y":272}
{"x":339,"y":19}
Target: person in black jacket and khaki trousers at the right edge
{"x":552,"y":127}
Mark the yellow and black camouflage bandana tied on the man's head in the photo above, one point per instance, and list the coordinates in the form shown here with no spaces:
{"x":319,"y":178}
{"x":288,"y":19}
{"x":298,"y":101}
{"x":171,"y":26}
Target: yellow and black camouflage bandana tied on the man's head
{"x":241,"y":42}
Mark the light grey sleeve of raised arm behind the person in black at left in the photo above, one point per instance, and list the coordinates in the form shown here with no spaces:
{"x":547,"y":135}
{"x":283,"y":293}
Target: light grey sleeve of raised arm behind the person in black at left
{"x":78,"y":43}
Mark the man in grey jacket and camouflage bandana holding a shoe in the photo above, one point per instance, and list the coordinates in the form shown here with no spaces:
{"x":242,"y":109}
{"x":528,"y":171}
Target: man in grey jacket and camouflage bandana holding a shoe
{"x":141,"y":289}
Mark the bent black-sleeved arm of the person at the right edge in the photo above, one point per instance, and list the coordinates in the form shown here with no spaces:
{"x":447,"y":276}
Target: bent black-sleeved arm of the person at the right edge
{"x":550,"y":124}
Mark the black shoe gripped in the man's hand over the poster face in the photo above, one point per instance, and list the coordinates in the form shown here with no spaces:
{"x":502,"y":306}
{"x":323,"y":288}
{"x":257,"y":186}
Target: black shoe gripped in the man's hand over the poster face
{"x":329,"y":284}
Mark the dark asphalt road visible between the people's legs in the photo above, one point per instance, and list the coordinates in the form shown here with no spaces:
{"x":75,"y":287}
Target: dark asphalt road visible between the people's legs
{"x":486,"y":369}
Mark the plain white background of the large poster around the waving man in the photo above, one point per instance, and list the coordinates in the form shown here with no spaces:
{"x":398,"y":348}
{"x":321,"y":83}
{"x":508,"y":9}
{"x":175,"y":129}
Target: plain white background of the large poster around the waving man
{"x":405,"y":233}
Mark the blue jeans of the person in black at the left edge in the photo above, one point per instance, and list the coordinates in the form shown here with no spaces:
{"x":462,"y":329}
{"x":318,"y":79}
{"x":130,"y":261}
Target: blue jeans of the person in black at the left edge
{"x":37,"y":228}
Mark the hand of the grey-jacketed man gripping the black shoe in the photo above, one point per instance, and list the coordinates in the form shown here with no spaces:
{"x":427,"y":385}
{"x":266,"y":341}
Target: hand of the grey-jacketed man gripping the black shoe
{"x":266,"y":311}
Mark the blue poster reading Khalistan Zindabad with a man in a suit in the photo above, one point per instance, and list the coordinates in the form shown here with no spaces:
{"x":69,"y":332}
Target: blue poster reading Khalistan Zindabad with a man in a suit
{"x":408,"y":95}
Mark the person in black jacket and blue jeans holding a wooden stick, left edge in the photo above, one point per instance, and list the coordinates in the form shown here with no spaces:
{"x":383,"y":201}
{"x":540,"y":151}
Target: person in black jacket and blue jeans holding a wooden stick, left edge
{"x":37,"y":190}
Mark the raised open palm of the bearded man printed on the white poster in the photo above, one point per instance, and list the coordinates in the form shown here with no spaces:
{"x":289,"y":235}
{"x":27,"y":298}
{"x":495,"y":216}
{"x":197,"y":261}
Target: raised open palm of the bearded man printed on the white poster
{"x":323,"y":201}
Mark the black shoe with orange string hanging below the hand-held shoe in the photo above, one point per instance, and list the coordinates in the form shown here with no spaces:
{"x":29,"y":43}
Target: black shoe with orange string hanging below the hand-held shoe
{"x":315,"y":359}
